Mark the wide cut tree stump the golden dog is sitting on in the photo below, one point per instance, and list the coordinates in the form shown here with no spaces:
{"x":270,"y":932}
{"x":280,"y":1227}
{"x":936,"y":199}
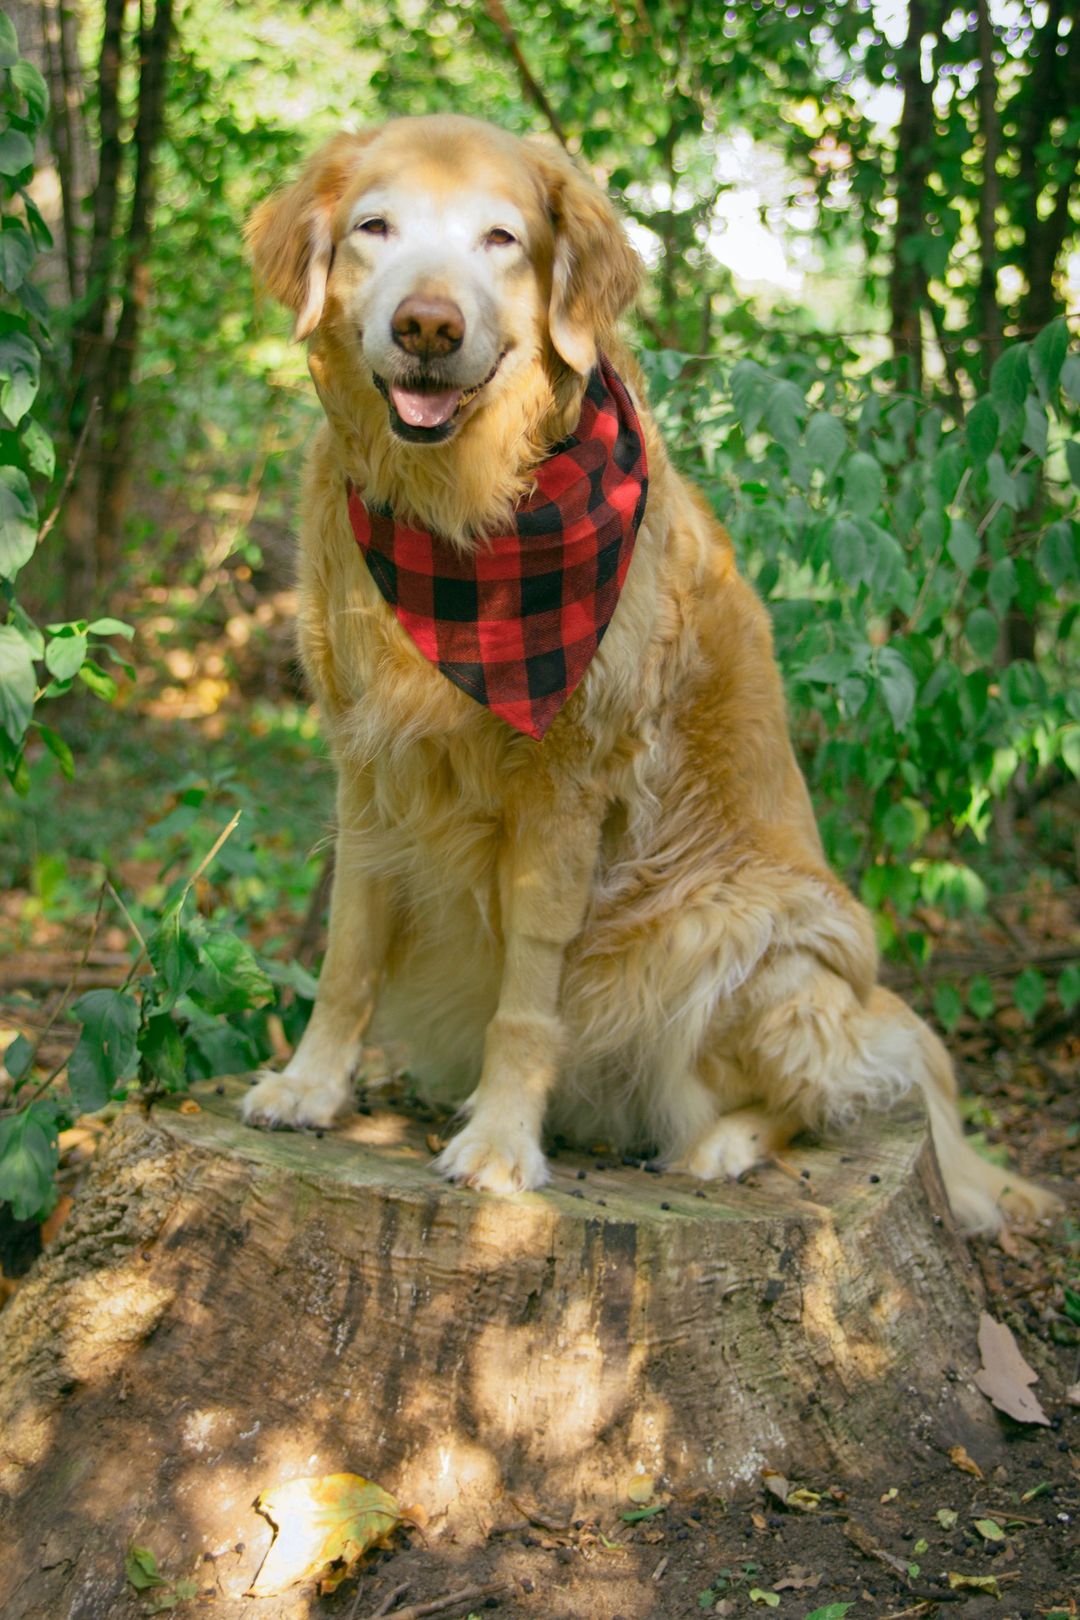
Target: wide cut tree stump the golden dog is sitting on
{"x":227,"y":1310}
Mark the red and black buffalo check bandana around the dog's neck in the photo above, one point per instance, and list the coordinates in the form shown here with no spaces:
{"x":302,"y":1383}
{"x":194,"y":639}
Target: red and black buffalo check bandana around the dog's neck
{"x":517,"y":621}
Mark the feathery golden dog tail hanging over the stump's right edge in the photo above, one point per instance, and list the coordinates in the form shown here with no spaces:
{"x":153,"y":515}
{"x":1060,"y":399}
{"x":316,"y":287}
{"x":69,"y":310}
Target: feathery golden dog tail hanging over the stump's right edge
{"x":980,"y":1195}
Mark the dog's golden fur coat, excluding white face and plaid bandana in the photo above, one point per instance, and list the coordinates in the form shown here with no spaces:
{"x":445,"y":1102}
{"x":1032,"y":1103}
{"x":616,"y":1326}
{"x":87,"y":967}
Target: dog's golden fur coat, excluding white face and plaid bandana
{"x":627,"y":932}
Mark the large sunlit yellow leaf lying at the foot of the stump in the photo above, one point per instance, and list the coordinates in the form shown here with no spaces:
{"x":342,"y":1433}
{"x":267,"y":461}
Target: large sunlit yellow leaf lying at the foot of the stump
{"x":323,"y":1527}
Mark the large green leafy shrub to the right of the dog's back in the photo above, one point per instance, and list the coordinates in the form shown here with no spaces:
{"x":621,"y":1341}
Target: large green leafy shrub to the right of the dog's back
{"x":893,"y":545}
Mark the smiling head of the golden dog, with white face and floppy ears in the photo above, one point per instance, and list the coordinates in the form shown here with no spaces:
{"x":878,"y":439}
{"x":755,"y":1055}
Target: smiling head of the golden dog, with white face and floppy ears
{"x":446,"y":258}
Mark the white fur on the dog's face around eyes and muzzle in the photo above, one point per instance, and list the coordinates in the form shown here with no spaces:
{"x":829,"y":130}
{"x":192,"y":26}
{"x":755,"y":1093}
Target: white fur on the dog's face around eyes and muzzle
{"x":436,"y":247}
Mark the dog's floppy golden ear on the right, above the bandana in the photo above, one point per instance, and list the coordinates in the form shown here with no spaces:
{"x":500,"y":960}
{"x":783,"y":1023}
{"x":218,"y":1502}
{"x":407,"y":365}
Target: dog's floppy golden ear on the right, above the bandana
{"x":595,"y":270}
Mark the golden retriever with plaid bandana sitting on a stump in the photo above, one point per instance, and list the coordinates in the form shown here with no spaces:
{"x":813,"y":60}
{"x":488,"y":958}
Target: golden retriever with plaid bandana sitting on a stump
{"x":577,"y":864}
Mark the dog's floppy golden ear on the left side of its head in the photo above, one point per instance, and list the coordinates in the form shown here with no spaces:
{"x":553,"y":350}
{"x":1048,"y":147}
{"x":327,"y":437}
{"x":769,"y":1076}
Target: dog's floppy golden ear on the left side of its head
{"x":291,"y":237}
